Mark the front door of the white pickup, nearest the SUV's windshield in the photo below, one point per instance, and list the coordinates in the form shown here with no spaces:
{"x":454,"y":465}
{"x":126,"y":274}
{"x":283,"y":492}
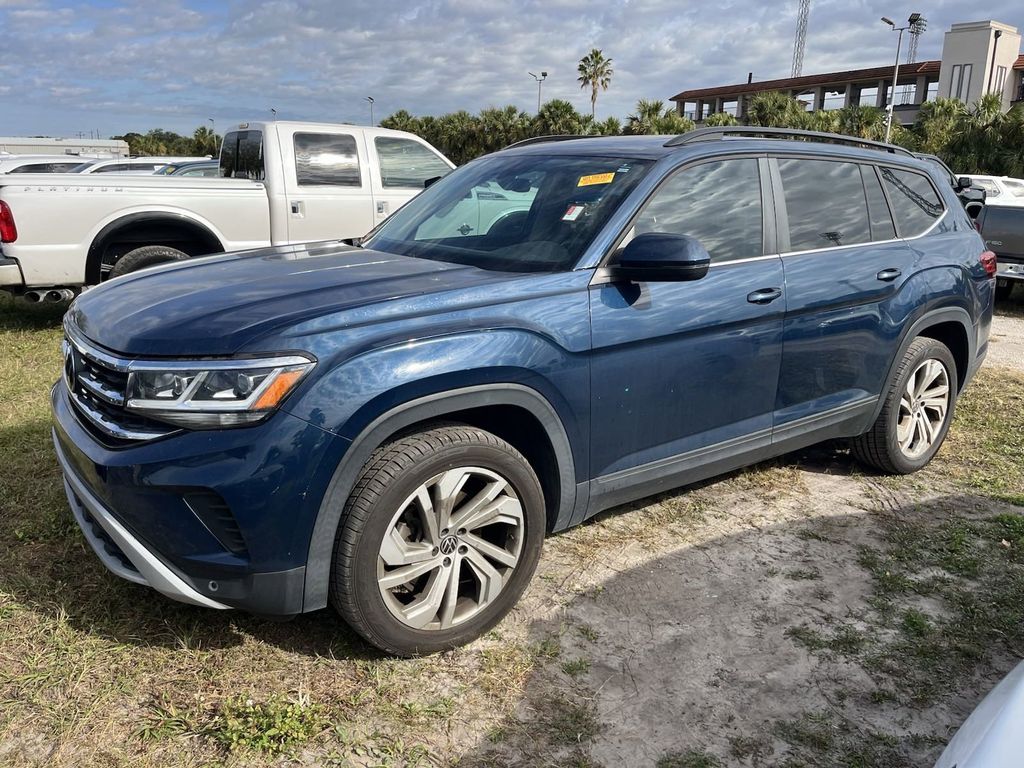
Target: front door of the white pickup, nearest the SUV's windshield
{"x":400,"y":167}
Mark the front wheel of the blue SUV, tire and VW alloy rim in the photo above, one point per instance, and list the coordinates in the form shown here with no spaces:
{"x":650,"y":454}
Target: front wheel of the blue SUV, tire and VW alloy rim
{"x":399,"y":616}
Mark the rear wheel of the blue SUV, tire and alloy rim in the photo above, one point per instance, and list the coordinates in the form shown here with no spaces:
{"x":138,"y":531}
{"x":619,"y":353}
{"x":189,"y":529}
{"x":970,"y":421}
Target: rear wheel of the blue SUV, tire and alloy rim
{"x":893,"y":447}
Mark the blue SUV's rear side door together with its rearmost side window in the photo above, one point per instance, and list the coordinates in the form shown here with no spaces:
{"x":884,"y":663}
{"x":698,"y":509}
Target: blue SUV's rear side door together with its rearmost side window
{"x":845,"y":266}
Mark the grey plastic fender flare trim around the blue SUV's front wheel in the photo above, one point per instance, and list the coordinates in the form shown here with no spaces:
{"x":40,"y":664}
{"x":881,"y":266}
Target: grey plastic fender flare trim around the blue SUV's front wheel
{"x":321,"y":554}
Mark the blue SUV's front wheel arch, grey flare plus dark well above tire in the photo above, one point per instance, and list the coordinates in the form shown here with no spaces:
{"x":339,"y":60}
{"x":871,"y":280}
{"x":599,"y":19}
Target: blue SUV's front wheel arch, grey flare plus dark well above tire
{"x":515,"y":412}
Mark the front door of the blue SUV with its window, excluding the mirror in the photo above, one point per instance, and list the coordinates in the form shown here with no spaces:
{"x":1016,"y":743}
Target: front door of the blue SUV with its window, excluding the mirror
{"x":686,"y":374}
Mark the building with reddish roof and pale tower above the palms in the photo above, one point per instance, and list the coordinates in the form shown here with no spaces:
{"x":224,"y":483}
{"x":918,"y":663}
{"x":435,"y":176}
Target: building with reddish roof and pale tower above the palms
{"x":978,"y":58}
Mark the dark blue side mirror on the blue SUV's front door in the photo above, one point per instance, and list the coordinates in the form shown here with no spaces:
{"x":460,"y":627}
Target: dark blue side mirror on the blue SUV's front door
{"x":663,"y":258}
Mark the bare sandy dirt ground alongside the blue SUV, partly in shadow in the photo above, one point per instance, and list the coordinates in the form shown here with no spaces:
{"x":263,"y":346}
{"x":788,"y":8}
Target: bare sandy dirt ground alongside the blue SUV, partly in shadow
{"x":684,"y":609}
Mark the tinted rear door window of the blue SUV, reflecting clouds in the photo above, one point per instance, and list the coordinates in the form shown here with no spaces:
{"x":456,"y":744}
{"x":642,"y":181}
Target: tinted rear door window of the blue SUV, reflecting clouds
{"x":826,"y":204}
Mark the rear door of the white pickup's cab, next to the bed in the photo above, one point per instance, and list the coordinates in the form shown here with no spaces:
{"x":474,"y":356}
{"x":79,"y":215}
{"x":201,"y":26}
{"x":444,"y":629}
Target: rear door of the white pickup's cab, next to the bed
{"x":328,"y":185}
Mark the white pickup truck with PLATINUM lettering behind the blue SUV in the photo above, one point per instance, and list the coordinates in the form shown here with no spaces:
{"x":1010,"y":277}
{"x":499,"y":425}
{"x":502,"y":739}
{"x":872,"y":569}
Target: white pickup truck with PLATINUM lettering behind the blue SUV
{"x":282,"y":183}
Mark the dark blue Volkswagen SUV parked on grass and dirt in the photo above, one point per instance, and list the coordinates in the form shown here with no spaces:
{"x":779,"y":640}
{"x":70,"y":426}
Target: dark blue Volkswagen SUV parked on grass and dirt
{"x":391,"y":426}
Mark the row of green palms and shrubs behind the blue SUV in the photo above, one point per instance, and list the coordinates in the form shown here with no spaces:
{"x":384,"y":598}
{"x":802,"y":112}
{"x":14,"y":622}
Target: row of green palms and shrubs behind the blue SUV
{"x":975,"y":139}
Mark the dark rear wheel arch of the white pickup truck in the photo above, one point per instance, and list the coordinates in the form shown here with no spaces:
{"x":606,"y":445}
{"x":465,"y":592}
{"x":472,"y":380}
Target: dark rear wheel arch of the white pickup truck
{"x":168,"y":229}
